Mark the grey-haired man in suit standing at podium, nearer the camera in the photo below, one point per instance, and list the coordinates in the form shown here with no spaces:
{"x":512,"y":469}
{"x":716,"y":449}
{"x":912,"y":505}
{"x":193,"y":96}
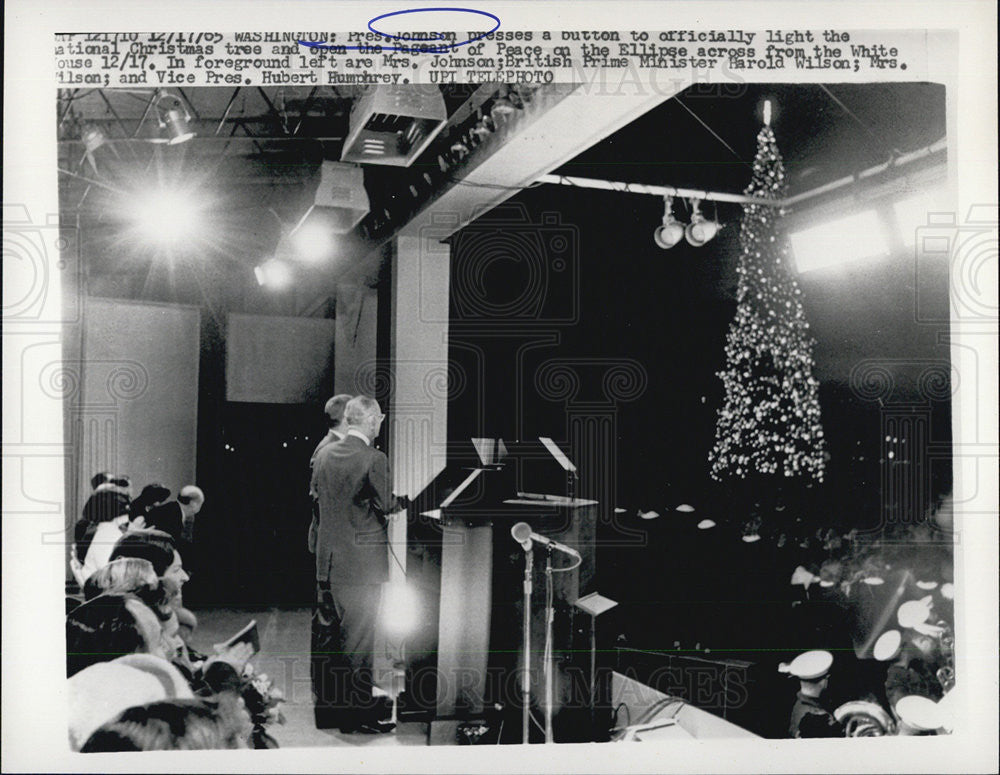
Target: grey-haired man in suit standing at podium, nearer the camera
{"x":351,"y":481}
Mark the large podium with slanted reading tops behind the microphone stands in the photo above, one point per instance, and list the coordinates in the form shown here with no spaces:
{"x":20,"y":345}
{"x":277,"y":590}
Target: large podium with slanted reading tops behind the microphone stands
{"x":469,"y":573}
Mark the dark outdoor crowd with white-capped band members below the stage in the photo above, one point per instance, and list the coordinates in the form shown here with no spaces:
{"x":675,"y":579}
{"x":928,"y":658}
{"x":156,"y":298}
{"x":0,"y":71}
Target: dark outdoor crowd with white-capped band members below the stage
{"x":873,"y":612}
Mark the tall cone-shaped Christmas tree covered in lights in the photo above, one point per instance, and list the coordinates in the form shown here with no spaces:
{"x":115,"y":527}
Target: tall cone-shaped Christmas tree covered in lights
{"x":769,"y":422}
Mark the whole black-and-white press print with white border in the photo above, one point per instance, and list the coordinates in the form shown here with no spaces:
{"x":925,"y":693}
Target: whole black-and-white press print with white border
{"x":512,"y":412}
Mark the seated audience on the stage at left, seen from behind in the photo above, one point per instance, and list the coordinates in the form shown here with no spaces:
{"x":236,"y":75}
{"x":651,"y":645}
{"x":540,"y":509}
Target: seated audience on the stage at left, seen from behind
{"x":136,"y":683}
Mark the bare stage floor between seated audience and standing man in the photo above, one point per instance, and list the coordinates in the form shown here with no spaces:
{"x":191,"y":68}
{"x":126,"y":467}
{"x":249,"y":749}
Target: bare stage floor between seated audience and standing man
{"x":284,"y":657}
